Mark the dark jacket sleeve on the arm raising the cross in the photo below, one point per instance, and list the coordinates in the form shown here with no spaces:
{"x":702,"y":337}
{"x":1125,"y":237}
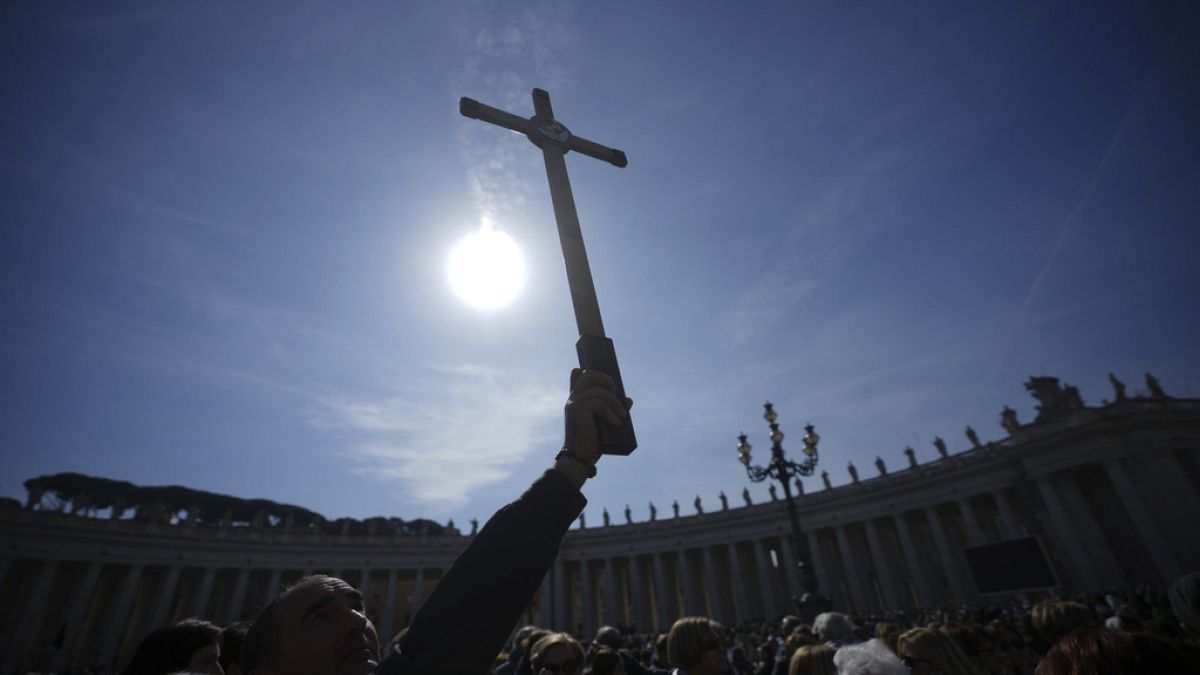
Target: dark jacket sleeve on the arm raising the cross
{"x":479,"y":600}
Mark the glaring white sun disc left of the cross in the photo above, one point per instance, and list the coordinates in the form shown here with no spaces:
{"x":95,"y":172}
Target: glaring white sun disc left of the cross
{"x":487,"y":268}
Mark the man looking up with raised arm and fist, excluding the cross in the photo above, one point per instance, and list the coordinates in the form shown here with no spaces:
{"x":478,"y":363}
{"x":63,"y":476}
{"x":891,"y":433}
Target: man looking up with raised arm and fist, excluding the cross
{"x":320,"y":626}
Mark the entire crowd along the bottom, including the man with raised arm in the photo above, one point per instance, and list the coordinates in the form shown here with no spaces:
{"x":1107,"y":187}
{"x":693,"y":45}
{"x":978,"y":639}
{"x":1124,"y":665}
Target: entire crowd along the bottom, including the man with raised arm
{"x":320,"y":626}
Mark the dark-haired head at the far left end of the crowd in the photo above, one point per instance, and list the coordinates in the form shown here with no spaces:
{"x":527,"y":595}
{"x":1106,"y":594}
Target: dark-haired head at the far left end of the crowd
{"x":190,"y":646}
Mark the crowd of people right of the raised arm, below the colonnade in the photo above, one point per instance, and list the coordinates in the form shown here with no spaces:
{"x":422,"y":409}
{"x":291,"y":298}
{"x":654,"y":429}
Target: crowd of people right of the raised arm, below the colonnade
{"x":1135,"y":632}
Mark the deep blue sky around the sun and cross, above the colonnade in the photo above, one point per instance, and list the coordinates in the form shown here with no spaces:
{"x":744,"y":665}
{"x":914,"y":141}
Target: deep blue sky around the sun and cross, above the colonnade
{"x":226,"y":231}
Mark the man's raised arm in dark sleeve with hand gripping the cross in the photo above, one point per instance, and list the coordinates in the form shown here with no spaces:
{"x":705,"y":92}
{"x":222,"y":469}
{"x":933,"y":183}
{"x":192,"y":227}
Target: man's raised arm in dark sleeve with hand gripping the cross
{"x":473,"y":608}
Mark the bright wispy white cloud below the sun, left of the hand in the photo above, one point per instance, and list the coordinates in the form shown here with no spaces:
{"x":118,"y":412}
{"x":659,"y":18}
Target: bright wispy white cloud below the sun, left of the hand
{"x":458,"y":429}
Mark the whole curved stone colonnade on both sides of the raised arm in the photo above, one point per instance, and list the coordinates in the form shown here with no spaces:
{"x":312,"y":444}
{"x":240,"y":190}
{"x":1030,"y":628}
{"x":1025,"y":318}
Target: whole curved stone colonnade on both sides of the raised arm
{"x":1113,"y":494}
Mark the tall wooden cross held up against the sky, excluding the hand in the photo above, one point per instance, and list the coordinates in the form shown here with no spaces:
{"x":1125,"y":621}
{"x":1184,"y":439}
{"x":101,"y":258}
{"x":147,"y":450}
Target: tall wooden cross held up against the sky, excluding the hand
{"x":596,"y":351}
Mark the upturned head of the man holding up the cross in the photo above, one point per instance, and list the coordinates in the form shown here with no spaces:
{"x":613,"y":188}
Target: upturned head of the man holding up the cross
{"x":325,"y":631}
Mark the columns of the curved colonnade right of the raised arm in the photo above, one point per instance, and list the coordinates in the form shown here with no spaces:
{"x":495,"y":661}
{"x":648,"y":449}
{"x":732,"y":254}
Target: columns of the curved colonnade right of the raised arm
{"x":1094,"y":523}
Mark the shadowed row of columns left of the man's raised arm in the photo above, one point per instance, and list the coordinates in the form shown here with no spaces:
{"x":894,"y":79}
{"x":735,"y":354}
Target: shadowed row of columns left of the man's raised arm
{"x":69,"y":614}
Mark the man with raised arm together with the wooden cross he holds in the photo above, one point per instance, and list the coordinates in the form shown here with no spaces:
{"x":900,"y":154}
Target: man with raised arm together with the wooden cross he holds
{"x":320,"y":626}
